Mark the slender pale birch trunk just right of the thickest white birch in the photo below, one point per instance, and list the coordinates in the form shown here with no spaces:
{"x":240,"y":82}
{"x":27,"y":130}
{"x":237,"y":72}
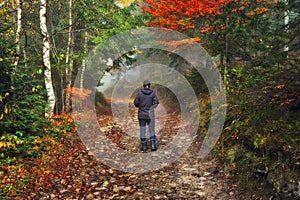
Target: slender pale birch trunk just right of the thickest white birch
{"x":69,"y":60}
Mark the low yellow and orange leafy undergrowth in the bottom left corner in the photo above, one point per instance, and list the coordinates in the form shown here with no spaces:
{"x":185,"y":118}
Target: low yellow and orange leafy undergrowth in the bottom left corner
{"x":23,"y":160}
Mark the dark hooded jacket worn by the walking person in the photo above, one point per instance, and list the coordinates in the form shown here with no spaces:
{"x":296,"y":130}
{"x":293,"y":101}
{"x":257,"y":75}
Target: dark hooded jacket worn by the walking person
{"x":146,"y":100}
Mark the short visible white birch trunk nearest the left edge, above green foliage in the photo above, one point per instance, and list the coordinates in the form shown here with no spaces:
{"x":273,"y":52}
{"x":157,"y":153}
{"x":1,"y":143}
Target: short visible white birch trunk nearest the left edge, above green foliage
{"x":18,"y":31}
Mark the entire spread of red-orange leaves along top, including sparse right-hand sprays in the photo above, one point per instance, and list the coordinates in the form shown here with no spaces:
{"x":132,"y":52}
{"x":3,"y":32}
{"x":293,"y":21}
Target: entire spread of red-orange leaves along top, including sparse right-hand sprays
{"x":182,"y":15}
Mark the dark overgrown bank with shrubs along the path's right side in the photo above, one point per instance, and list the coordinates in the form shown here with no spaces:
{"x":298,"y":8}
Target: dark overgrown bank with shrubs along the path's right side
{"x":260,"y":142}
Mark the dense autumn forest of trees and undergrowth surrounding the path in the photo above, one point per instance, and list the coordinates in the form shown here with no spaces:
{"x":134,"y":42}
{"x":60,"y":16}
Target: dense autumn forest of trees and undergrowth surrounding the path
{"x":255,"y":45}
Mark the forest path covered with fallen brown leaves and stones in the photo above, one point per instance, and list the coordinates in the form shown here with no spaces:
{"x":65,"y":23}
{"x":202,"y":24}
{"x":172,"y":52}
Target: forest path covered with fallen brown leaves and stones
{"x":78,"y":175}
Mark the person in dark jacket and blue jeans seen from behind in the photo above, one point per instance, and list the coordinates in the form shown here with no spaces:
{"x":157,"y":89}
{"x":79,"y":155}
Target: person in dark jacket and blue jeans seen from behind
{"x":146,"y":100}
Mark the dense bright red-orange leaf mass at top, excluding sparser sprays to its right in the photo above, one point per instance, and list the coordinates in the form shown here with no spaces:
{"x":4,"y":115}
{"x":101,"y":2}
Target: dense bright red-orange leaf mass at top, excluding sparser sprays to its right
{"x":181,"y":14}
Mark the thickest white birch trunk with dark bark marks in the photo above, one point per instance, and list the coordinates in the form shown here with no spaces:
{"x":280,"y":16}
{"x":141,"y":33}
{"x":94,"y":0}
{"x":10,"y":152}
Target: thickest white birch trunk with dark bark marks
{"x":46,"y":59}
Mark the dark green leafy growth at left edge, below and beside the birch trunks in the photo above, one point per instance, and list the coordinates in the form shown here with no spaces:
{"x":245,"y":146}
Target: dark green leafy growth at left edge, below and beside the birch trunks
{"x":22,"y":107}
